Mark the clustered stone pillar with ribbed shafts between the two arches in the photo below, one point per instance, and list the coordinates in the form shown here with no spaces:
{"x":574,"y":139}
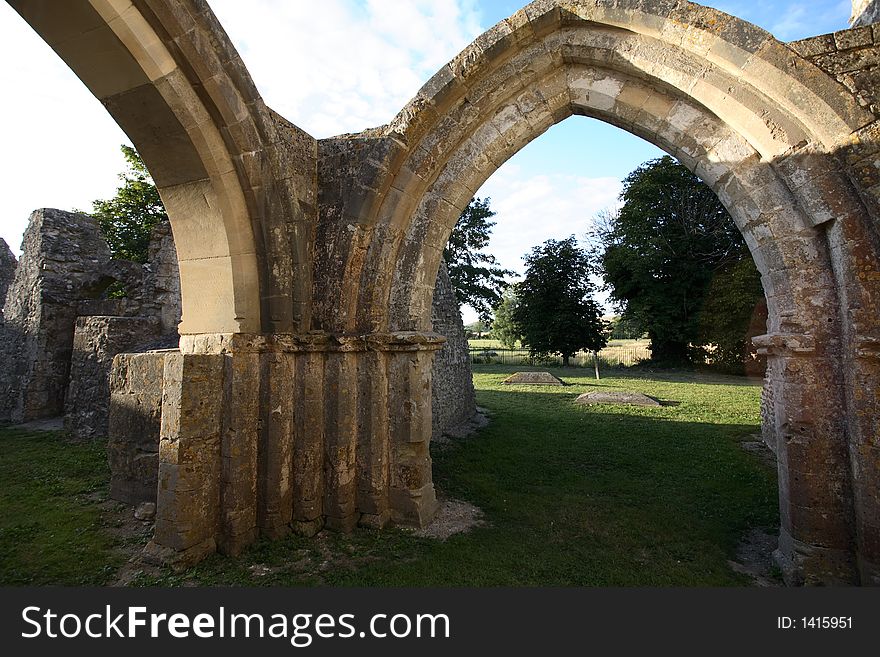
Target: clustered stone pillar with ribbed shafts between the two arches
{"x":273,"y":434}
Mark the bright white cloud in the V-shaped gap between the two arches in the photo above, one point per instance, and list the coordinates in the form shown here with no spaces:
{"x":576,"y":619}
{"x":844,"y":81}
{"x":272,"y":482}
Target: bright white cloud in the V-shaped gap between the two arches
{"x":353,"y":69}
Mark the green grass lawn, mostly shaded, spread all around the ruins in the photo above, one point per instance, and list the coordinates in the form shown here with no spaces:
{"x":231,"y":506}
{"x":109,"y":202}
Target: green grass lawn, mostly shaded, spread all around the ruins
{"x":572,"y":495}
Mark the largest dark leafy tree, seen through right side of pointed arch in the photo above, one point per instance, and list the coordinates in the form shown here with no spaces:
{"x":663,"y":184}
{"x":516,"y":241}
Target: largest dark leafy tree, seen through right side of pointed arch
{"x":661,"y":251}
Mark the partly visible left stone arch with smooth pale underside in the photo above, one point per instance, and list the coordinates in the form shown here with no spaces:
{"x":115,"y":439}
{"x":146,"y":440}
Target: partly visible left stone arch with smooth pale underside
{"x":169,"y":76}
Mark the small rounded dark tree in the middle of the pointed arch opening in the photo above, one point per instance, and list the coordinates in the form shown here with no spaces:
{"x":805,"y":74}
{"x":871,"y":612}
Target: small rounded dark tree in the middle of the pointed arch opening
{"x":556,"y":311}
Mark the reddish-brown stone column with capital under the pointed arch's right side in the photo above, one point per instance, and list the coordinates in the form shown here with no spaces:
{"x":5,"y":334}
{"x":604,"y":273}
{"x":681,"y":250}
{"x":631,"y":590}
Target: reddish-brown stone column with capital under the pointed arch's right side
{"x":815,"y":497}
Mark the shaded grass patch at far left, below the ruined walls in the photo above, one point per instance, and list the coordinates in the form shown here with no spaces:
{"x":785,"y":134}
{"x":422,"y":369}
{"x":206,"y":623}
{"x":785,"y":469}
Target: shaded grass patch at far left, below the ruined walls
{"x":51,"y":528}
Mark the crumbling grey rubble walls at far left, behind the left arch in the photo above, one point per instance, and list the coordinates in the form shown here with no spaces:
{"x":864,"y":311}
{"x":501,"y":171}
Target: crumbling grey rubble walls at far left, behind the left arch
{"x":61,"y":332}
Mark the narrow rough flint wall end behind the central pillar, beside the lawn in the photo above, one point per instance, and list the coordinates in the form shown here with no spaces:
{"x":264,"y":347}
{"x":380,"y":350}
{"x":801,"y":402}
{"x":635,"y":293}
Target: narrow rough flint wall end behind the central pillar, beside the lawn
{"x":452,"y":394}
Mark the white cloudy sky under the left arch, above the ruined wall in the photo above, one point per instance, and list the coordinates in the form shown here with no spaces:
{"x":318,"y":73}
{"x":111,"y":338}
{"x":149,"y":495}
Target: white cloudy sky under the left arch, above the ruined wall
{"x":60,"y":147}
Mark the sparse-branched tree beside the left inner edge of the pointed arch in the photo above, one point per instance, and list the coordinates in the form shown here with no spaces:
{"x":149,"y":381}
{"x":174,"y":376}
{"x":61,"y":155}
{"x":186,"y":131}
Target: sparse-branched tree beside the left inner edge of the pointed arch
{"x":475,"y":275}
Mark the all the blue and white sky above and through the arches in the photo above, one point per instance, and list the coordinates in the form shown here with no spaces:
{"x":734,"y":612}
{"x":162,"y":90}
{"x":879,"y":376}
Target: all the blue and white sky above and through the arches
{"x":351,"y":67}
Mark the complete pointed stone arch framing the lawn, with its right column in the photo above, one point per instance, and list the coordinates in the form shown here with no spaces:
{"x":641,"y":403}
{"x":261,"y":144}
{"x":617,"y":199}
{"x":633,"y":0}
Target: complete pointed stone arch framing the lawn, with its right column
{"x":769,"y":132}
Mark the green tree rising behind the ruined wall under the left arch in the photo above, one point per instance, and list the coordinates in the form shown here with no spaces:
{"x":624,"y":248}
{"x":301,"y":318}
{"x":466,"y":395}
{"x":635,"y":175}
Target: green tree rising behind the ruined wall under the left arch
{"x":127,"y":219}
